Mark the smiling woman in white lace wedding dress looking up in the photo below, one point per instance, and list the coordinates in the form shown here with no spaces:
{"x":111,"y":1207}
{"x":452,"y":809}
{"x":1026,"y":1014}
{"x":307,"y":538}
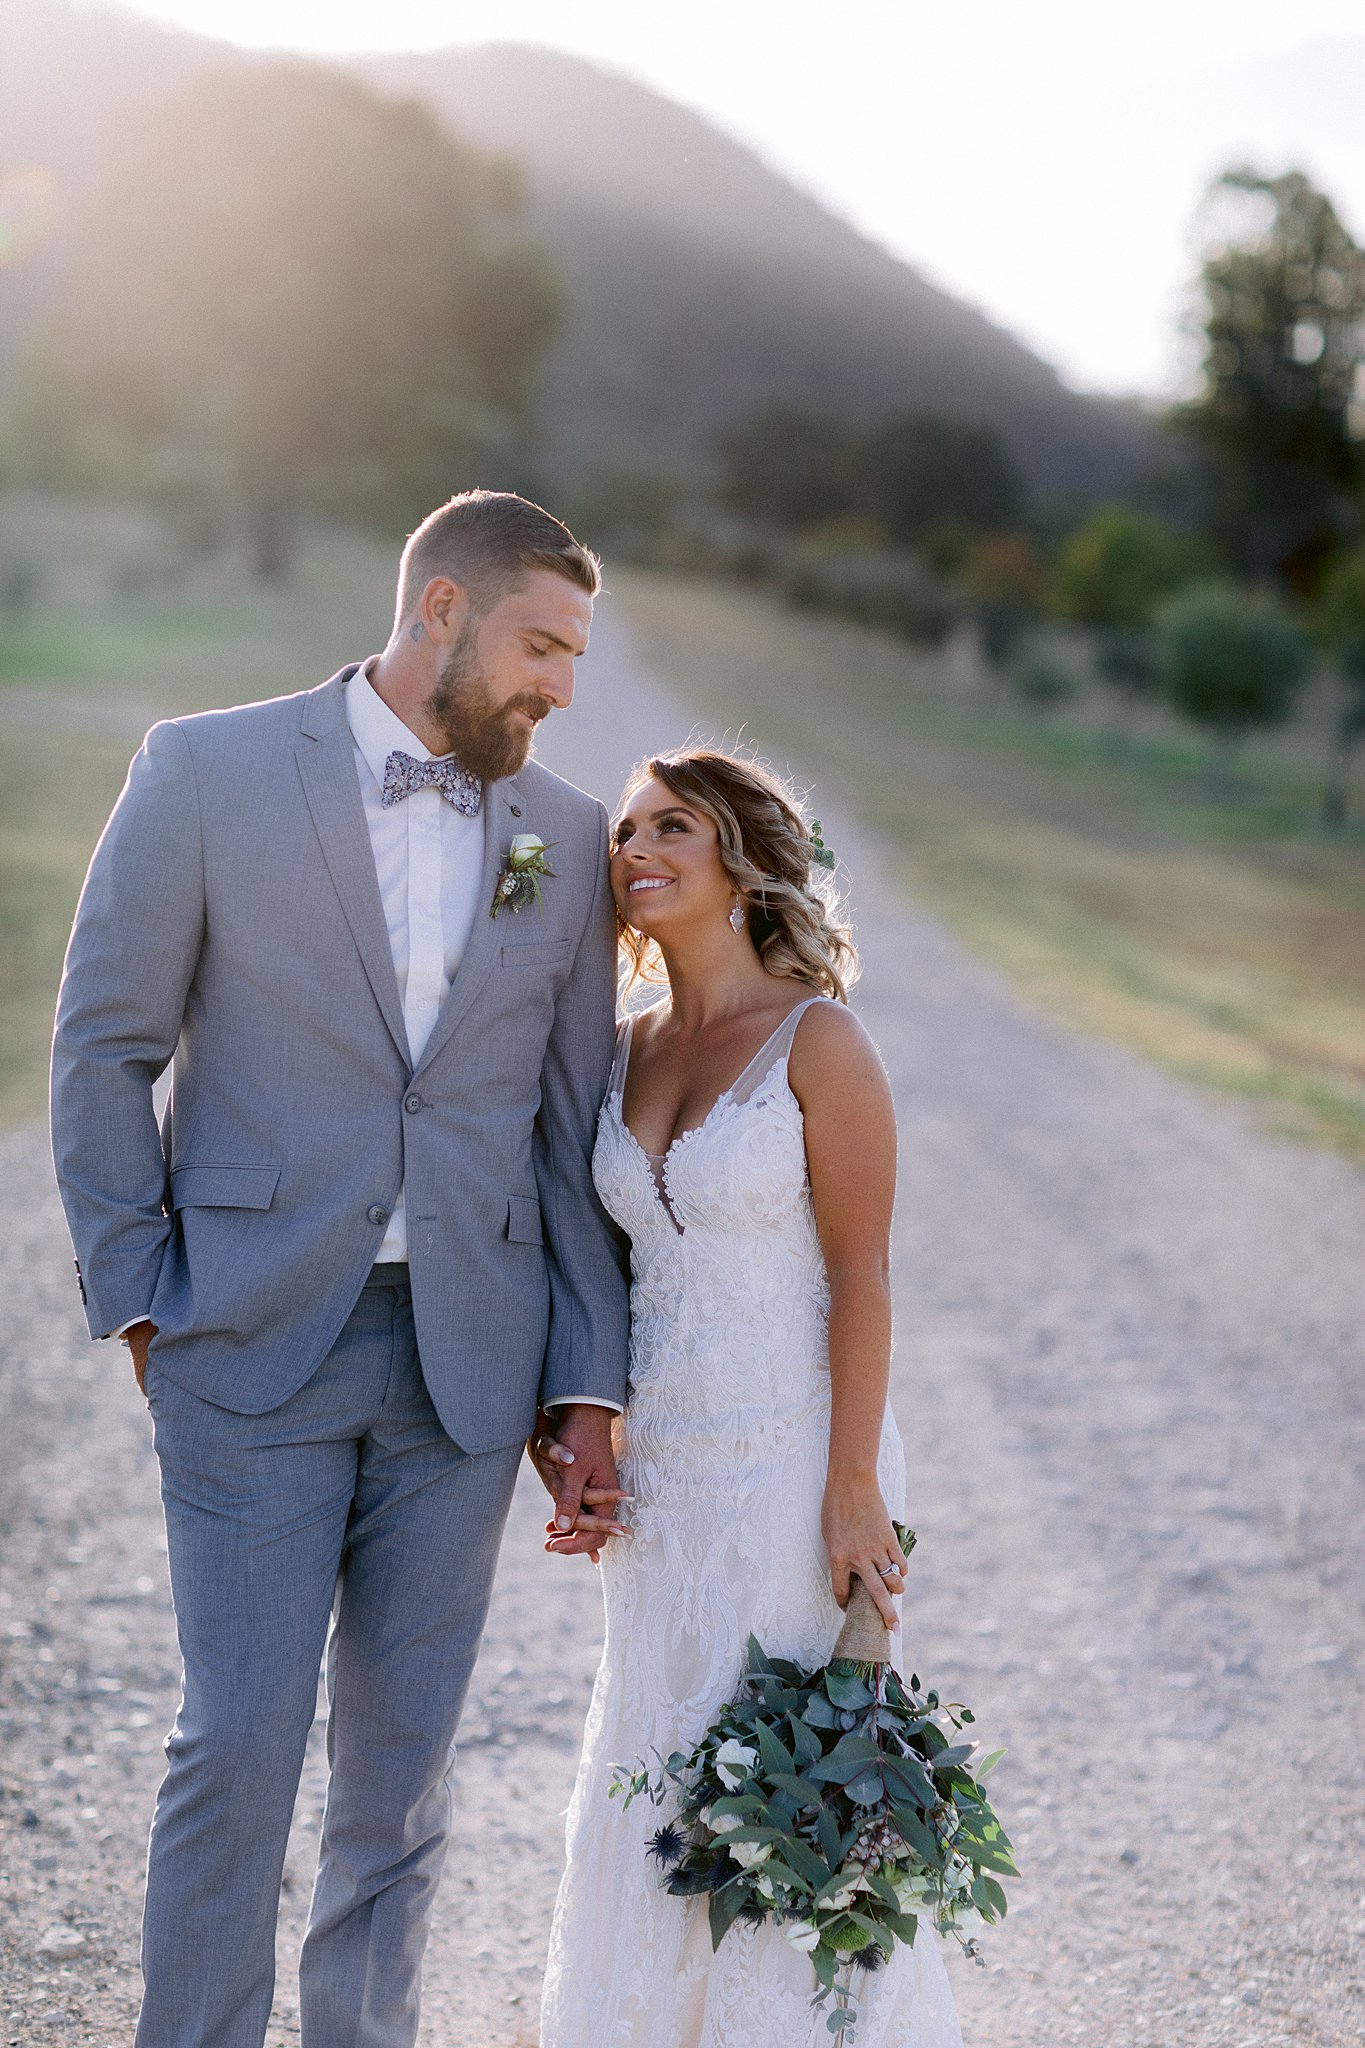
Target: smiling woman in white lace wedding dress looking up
{"x":748,"y":1150}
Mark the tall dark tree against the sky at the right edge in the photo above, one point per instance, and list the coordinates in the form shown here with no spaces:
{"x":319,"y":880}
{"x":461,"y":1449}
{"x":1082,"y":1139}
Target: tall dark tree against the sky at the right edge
{"x":1284,"y":318}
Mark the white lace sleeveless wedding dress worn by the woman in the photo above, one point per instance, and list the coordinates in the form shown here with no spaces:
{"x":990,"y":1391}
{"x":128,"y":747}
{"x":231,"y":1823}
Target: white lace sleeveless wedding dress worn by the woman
{"x":728,"y":1437}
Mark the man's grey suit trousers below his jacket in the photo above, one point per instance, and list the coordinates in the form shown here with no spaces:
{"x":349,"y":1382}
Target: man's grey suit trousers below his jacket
{"x":347,"y":1502}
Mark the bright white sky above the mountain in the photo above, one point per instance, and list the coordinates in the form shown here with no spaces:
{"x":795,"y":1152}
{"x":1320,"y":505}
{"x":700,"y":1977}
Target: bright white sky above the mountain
{"x":1041,"y":161}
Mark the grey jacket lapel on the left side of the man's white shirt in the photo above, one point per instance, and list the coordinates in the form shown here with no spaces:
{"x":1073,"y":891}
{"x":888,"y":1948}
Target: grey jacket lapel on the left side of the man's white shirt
{"x":328,"y":771}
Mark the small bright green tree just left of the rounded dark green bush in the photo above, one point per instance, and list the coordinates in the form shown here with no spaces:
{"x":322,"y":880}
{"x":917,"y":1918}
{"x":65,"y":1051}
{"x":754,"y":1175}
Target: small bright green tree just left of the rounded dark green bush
{"x":1114,"y":572}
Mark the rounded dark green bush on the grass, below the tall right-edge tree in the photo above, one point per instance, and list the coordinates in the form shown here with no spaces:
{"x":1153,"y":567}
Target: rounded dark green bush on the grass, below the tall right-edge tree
{"x":1231,"y":658}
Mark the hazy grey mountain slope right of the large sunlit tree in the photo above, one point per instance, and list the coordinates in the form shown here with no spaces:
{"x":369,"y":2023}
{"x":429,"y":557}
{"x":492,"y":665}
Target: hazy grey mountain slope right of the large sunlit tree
{"x":705,"y":284}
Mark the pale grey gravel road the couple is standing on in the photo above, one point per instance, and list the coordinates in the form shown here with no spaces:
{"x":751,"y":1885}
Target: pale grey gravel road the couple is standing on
{"x":1131,"y":1340}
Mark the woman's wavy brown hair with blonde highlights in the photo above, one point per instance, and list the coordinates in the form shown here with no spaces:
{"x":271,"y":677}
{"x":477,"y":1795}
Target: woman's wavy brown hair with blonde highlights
{"x":770,"y":857}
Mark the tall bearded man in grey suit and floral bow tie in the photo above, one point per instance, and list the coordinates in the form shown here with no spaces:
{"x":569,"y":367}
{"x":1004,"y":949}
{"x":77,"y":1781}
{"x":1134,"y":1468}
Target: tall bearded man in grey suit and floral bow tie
{"x":361,"y":1248}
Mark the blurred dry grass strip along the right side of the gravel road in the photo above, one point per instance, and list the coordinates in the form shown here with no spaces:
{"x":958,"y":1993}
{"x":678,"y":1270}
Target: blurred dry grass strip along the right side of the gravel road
{"x":1225,"y":941}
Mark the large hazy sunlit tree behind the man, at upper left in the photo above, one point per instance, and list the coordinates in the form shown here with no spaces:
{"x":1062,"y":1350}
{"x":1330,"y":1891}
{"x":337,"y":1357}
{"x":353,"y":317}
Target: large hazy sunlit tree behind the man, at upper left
{"x":294,"y":294}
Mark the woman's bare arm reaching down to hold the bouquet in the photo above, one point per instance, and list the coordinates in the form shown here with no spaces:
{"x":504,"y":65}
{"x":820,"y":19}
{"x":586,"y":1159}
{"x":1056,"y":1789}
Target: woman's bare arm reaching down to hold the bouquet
{"x":852,"y":1154}
